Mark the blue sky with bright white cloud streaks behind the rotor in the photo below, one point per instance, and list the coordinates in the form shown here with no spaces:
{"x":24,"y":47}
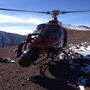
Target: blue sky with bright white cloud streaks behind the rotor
{"x":24,"y":23}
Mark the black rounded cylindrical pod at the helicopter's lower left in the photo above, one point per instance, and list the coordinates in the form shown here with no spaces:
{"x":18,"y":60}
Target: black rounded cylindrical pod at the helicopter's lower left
{"x":28,"y":57}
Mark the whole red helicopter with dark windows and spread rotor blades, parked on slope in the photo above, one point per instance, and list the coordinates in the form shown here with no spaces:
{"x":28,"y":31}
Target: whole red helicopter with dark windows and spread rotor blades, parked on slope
{"x":48,"y":38}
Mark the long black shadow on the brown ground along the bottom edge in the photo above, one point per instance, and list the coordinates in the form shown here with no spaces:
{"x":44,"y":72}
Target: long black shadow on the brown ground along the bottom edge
{"x":51,"y":84}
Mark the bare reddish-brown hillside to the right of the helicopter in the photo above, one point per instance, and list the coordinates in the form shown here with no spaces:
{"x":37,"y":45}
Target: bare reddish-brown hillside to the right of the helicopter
{"x":78,"y":36}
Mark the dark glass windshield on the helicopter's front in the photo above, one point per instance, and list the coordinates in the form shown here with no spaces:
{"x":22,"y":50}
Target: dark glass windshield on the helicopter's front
{"x":50,"y":32}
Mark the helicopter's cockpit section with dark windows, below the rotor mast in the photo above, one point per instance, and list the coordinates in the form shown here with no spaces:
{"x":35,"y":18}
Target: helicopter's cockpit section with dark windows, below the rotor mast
{"x":49,"y":31}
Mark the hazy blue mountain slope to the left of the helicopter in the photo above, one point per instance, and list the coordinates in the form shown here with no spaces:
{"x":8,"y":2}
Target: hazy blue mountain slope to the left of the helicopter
{"x":9,"y":39}
